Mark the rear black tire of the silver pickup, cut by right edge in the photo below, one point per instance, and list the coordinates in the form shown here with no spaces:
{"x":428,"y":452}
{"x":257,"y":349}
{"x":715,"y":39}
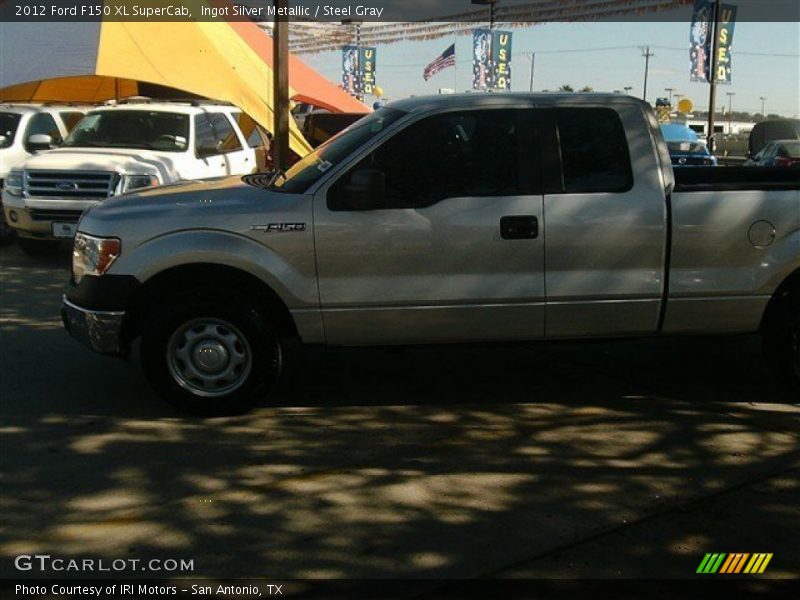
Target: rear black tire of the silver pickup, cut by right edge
{"x":781,"y":341}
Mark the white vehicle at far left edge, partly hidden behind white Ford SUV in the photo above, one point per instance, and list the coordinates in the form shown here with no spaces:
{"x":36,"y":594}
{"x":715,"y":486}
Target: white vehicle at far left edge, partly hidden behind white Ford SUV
{"x":26,"y":129}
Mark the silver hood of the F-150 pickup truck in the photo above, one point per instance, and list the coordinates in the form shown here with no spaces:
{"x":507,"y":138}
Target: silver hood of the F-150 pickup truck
{"x":224,"y":203}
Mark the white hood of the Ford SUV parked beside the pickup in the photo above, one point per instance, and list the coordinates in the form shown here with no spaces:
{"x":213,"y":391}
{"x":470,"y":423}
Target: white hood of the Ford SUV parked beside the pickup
{"x":119,"y":160}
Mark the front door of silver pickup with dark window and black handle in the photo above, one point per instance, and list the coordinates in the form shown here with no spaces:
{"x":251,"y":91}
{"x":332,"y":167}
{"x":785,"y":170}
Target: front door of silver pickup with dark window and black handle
{"x":434,"y":264}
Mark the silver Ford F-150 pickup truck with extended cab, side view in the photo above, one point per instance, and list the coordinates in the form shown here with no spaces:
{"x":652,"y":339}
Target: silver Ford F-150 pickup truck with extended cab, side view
{"x":474,"y":218}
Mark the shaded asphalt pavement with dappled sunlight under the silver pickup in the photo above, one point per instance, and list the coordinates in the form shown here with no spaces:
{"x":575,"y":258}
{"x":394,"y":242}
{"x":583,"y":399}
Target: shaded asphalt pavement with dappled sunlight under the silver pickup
{"x":613,"y":459}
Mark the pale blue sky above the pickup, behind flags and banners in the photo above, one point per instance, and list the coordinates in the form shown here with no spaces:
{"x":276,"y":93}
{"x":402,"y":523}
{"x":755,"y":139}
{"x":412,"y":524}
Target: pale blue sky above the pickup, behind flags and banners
{"x":607,"y":57}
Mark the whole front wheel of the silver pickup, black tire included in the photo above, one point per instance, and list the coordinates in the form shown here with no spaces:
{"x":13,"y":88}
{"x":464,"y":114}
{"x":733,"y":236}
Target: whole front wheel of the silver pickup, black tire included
{"x":210,"y":317}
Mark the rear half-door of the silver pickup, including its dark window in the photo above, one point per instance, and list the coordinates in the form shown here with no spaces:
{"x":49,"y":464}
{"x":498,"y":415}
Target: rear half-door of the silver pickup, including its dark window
{"x":605,"y":228}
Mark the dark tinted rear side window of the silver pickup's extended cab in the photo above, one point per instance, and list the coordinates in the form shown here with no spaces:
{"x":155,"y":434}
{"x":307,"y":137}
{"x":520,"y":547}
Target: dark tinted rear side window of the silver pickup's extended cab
{"x":594,"y":151}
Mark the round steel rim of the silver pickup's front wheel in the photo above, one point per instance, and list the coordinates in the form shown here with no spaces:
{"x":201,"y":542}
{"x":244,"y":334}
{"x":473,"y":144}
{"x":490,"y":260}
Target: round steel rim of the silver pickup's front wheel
{"x":209,"y":357}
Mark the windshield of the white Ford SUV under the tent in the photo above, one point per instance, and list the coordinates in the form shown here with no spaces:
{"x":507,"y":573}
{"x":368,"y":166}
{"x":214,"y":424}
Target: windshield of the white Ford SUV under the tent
{"x":145,"y":129}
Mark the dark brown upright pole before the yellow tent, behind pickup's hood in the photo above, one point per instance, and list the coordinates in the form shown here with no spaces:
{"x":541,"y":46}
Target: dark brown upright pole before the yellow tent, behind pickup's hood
{"x":280,"y":84}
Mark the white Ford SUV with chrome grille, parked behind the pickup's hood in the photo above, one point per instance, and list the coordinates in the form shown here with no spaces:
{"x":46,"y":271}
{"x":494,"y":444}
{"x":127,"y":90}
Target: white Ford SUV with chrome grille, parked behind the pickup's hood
{"x":119,"y":148}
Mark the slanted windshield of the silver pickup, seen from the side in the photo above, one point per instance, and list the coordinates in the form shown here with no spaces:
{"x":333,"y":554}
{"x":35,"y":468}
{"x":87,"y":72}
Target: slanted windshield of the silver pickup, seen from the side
{"x":314,"y":165}
